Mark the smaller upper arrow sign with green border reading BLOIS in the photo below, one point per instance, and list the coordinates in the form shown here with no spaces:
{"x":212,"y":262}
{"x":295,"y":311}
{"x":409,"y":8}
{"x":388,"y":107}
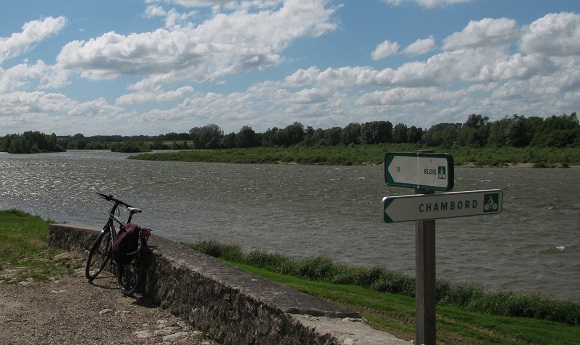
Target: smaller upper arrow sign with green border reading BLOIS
{"x":419,"y":170}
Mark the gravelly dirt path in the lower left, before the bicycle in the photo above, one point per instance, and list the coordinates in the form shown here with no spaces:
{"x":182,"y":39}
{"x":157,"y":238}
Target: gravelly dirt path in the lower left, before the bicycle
{"x":69,"y":310}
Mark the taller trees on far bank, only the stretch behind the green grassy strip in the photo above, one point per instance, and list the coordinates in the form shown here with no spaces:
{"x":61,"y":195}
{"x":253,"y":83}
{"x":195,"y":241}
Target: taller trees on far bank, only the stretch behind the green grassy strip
{"x":477,"y":131}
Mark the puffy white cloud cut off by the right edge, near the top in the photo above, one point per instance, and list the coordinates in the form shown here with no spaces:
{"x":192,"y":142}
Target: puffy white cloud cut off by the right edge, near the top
{"x":556,"y":34}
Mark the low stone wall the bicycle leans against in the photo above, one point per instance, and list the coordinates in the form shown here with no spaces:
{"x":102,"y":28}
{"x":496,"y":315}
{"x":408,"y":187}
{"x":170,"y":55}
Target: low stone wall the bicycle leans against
{"x":233,"y":306}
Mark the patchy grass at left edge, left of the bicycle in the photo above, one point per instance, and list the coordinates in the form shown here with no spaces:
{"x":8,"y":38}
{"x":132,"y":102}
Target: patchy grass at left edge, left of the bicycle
{"x":24,"y":251}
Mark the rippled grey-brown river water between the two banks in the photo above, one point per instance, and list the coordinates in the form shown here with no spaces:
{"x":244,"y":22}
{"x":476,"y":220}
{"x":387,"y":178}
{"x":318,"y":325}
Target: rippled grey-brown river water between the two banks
{"x":334,"y":211}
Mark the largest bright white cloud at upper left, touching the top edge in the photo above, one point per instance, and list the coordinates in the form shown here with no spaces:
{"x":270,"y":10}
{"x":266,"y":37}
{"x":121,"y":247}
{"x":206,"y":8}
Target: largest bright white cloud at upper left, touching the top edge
{"x":224,"y":44}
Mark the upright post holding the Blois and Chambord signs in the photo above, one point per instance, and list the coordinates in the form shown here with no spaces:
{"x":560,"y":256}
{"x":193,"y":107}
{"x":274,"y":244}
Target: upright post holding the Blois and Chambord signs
{"x":425,"y":331}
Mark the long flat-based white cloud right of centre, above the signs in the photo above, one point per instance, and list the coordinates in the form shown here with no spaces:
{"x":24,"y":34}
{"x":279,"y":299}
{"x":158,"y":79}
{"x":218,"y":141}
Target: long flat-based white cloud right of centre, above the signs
{"x":447,"y":68}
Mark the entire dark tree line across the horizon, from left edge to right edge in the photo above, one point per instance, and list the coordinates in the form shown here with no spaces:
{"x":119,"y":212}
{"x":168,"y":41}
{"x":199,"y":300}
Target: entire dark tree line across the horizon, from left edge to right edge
{"x":477,"y":131}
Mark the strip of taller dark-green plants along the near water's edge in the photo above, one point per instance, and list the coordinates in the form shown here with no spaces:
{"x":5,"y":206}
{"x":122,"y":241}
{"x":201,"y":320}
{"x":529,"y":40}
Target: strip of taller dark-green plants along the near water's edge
{"x":470,"y":298}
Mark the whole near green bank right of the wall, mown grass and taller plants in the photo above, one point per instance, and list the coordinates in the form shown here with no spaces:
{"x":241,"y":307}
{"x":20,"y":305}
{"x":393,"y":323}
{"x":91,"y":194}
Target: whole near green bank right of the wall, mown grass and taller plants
{"x":465,"y":314}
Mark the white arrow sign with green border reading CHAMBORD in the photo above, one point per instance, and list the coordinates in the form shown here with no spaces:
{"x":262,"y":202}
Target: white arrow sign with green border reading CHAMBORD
{"x":445,"y":205}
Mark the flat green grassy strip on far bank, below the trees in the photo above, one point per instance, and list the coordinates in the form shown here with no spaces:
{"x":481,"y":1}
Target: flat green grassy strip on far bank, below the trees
{"x":372,"y":154}
